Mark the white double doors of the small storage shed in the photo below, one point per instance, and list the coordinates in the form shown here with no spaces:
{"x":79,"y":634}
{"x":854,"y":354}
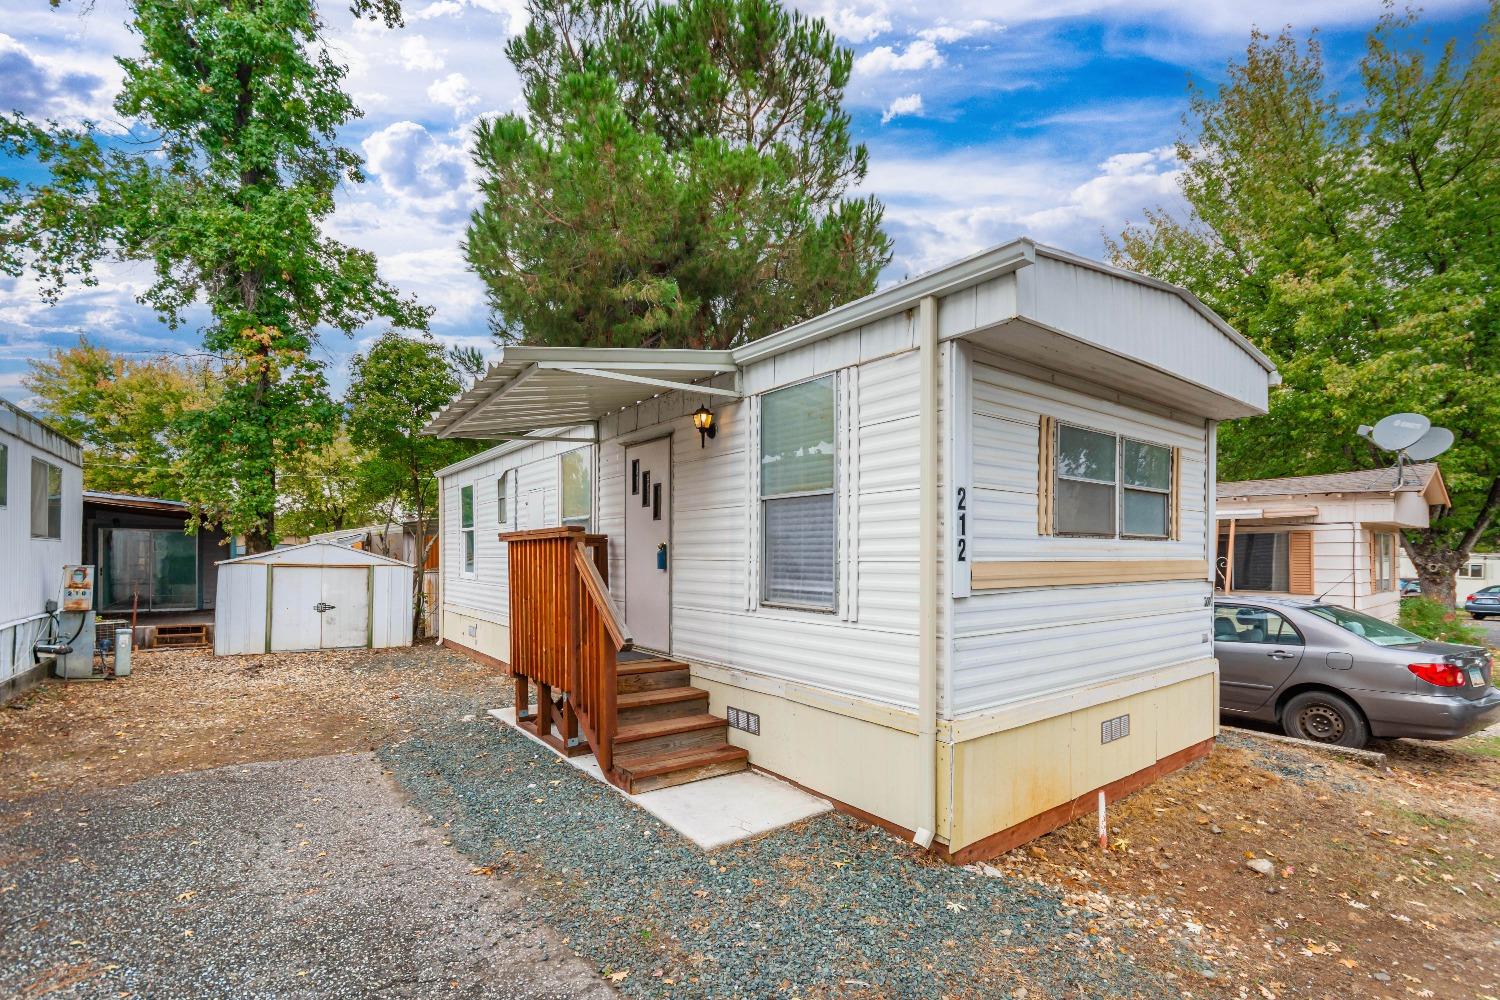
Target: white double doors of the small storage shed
{"x":320,"y":608}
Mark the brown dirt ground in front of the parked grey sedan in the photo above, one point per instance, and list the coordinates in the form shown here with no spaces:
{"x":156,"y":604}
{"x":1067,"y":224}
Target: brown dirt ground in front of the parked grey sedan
{"x":1382,"y":881}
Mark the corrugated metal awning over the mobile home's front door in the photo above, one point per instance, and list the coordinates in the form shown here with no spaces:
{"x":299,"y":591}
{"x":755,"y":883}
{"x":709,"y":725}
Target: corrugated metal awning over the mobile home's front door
{"x":532,"y":391}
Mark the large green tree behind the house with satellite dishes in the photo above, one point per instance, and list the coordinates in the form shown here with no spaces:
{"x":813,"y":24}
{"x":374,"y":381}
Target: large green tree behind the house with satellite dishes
{"x":1358,"y":244}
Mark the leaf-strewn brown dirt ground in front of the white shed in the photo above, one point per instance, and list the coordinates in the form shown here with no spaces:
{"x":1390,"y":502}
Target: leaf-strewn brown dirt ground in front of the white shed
{"x":184,"y":710}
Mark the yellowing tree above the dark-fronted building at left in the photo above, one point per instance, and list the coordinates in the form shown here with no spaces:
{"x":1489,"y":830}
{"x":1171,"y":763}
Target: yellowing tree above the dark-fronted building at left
{"x":128,"y":415}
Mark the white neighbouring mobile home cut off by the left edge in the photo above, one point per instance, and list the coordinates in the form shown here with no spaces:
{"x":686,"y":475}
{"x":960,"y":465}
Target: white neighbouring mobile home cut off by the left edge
{"x":41,"y":487}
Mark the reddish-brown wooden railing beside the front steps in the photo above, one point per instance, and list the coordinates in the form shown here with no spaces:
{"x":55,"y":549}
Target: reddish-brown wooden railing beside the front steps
{"x":566,"y":635}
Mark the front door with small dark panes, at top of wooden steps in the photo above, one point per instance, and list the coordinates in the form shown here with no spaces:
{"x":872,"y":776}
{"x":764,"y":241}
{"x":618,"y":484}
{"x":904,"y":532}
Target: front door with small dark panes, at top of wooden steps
{"x":649,"y":531}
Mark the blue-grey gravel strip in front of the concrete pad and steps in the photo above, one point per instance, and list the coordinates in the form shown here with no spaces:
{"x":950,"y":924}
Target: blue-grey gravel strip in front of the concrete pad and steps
{"x":826,"y":908}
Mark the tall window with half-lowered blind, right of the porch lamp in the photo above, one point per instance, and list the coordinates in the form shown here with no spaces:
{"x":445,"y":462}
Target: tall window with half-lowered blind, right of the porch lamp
{"x":799,"y":513}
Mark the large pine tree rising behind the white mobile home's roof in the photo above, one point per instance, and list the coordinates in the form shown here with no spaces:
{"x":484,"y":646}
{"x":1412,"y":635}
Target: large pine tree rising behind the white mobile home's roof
{"x":679,"y":179}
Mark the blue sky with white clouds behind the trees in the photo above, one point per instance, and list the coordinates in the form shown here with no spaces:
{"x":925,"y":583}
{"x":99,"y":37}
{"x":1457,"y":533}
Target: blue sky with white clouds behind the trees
{"x":985,"y":121}
